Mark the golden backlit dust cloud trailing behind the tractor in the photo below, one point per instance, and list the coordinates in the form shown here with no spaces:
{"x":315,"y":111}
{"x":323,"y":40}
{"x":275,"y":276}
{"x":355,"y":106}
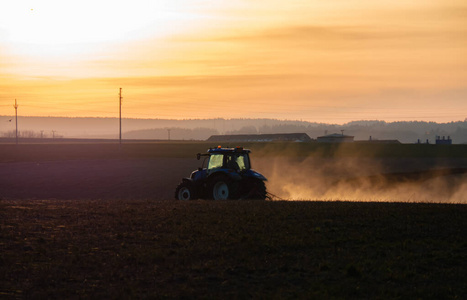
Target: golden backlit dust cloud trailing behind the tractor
{"x":315,"y":177}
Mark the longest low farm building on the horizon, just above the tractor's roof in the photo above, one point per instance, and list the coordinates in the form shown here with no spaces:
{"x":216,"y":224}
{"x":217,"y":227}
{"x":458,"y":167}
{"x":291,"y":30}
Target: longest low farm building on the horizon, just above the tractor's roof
{"x":277,"y":137}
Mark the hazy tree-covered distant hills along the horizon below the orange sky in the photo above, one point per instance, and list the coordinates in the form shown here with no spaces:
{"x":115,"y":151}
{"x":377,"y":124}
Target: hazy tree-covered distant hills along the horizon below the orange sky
{"x":201,"y":129}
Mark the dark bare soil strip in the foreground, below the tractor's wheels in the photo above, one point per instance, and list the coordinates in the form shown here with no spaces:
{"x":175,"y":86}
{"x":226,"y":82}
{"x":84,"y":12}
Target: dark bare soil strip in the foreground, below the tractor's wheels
{"x":235,"y":249}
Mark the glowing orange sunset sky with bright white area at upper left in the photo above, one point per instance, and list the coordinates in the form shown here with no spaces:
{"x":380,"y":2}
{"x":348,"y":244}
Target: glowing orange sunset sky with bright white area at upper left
{"x":324,"y":61}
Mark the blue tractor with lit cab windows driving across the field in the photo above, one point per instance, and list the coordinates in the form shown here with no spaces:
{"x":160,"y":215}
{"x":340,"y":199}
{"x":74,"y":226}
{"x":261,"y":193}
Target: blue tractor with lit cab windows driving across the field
{"x":225,"y":174}
